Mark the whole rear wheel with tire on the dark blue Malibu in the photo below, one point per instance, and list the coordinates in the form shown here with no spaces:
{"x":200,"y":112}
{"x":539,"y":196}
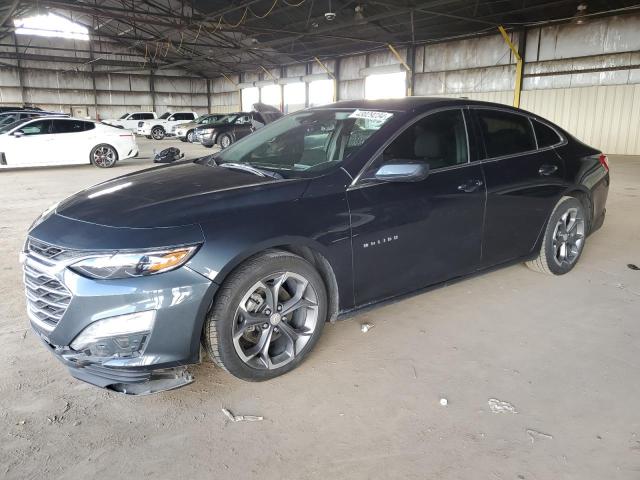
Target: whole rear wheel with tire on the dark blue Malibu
{"x":563,"y":240}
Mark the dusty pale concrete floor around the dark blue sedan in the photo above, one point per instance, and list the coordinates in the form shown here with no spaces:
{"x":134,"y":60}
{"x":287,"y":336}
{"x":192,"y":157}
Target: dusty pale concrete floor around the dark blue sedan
{"x":564,"y":351}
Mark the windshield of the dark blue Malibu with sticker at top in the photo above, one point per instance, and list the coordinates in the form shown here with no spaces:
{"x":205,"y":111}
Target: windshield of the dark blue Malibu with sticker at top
{"x":309,"y":141}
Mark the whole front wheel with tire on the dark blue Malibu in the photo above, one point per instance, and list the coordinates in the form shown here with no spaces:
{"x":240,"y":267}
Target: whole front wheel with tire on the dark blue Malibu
{"x":267,"y":316}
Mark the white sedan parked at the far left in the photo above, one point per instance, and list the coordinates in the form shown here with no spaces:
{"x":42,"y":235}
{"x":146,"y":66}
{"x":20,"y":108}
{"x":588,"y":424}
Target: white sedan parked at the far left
{"x":48,"y":141}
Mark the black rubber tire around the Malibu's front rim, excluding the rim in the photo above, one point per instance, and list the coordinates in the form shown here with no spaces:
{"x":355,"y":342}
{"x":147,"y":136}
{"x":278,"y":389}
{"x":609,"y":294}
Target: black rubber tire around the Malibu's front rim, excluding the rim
{"x":237,"y":285}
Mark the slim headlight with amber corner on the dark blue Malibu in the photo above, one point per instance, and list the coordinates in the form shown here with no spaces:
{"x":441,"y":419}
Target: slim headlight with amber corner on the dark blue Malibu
{"x":133,"y":264}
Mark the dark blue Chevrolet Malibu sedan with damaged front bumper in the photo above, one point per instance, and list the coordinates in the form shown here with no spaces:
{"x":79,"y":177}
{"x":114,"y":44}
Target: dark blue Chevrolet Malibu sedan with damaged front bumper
{"x":322,"y":212}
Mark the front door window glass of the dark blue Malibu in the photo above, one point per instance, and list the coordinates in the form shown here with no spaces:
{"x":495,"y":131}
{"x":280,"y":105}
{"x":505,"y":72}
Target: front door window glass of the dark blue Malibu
{"x":439,"y":139}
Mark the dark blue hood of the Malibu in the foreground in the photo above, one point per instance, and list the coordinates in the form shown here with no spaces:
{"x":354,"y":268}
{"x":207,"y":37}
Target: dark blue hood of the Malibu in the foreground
{"x":182,"y":193}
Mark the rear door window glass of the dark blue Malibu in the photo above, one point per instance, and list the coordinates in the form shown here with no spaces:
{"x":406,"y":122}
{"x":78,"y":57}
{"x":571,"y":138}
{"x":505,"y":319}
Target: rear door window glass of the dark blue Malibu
{"x":505,"y":133}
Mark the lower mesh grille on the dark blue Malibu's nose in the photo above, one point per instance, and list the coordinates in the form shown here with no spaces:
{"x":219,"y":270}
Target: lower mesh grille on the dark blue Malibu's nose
{"x":47,"y":298}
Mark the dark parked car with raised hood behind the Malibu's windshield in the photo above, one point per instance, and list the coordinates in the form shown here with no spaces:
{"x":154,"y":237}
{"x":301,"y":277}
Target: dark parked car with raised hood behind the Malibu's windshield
{"x":233,"y":128}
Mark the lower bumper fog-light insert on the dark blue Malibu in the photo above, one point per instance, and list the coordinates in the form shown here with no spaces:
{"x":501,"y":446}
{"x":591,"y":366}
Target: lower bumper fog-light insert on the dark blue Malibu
{"x":124,"y":335}
